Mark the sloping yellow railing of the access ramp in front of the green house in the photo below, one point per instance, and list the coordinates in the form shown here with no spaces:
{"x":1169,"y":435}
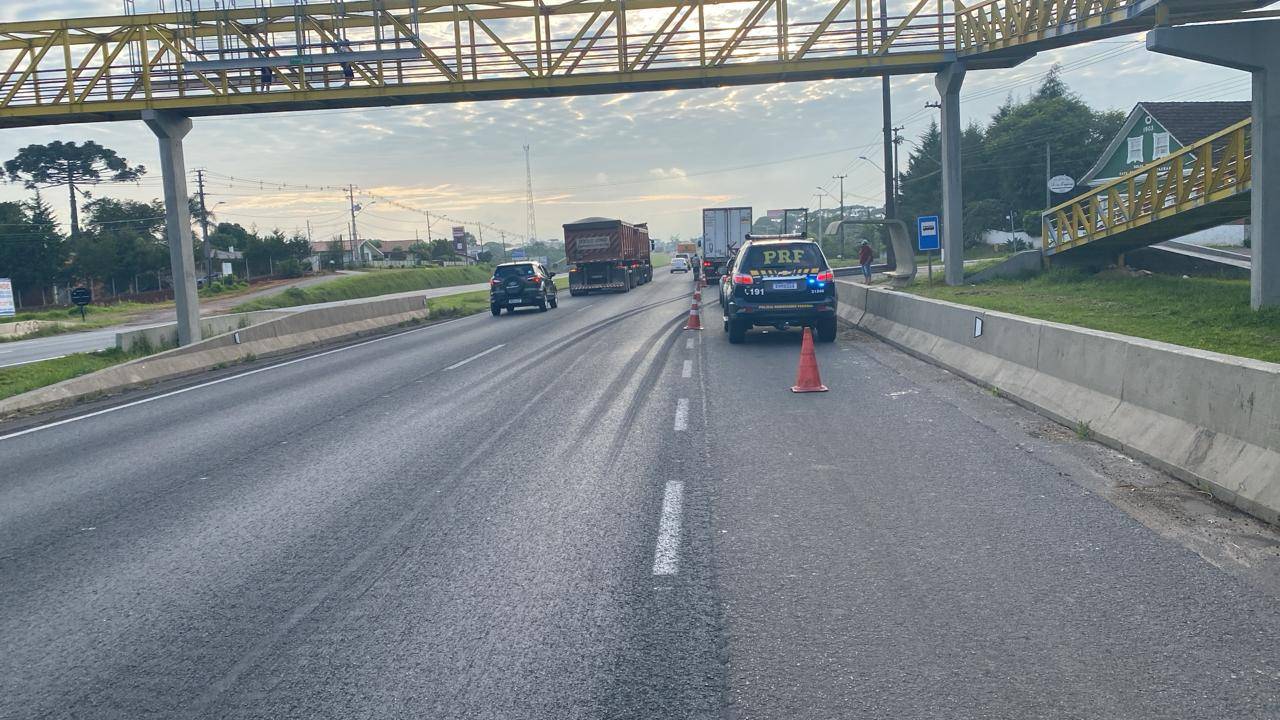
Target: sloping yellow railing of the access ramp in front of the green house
{"x":1213,"y":170}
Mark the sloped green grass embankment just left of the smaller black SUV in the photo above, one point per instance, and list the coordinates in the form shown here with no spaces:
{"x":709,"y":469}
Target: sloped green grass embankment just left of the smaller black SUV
{"x":371,"y":285}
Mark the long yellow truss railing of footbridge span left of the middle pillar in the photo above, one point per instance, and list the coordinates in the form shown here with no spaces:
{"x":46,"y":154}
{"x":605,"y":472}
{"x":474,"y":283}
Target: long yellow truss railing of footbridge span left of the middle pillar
{"x":371,"y":51}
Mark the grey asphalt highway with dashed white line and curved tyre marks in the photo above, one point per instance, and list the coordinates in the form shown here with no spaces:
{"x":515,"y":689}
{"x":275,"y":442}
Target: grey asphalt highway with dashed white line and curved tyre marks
{"x":588,"y":514}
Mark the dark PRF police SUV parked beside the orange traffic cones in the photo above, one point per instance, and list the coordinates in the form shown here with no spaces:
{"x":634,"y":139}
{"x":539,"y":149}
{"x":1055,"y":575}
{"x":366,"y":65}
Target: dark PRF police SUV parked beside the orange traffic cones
{"x":780,"y":282}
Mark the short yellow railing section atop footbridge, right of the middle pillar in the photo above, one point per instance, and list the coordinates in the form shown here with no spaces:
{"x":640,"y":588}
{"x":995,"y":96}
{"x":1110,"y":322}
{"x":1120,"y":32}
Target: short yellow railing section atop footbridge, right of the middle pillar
{"x":1002,"y":24}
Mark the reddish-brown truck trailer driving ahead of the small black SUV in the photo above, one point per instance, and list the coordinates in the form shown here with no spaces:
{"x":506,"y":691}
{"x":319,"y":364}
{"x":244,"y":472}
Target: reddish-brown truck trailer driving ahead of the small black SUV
{"x":607,"y":254}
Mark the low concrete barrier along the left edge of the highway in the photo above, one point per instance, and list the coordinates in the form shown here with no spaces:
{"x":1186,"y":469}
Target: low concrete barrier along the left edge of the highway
{"x":287,"y":334}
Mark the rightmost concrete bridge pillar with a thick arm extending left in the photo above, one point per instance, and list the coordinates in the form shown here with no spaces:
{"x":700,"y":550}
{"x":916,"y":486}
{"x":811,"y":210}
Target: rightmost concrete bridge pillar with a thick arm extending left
{"x":1247,"y":47}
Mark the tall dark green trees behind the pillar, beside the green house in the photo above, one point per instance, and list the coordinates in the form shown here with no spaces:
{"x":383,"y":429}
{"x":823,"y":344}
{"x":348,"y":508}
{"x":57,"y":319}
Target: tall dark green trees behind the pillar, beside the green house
{"x":1004,"y":163}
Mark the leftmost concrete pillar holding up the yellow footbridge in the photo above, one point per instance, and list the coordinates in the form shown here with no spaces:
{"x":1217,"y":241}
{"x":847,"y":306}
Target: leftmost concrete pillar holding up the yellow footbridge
{"x":171,"y":129}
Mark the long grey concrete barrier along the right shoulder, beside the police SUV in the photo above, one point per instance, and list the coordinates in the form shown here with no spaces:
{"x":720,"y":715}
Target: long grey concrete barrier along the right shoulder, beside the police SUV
{"x":1210,"y":420}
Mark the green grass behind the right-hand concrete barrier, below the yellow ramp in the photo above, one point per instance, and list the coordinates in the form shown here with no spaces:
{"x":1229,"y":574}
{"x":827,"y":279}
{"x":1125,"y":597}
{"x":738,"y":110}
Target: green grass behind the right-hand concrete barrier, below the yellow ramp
{"x":1204,"y":313}
